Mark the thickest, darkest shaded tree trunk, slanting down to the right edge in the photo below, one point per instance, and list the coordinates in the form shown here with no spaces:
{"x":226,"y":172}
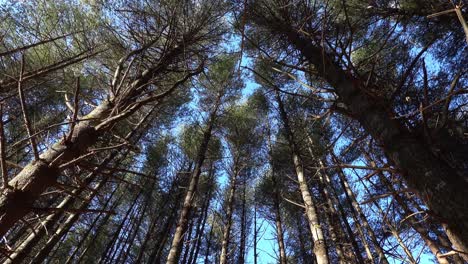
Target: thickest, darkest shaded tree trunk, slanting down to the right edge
{"x":439,"y":185}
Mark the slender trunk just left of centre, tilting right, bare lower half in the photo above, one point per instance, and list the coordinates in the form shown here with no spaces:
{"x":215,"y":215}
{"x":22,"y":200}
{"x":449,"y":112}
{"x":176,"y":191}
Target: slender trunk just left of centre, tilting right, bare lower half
{"x":174,"y":252}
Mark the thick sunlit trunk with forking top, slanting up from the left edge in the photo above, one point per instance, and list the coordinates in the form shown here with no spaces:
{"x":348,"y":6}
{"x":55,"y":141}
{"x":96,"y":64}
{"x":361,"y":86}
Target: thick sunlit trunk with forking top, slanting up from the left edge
{"x":38,"y":175}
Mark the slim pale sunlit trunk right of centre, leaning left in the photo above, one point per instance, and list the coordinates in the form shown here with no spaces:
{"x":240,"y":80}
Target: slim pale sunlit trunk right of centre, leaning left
{"x":320,"y":248}
